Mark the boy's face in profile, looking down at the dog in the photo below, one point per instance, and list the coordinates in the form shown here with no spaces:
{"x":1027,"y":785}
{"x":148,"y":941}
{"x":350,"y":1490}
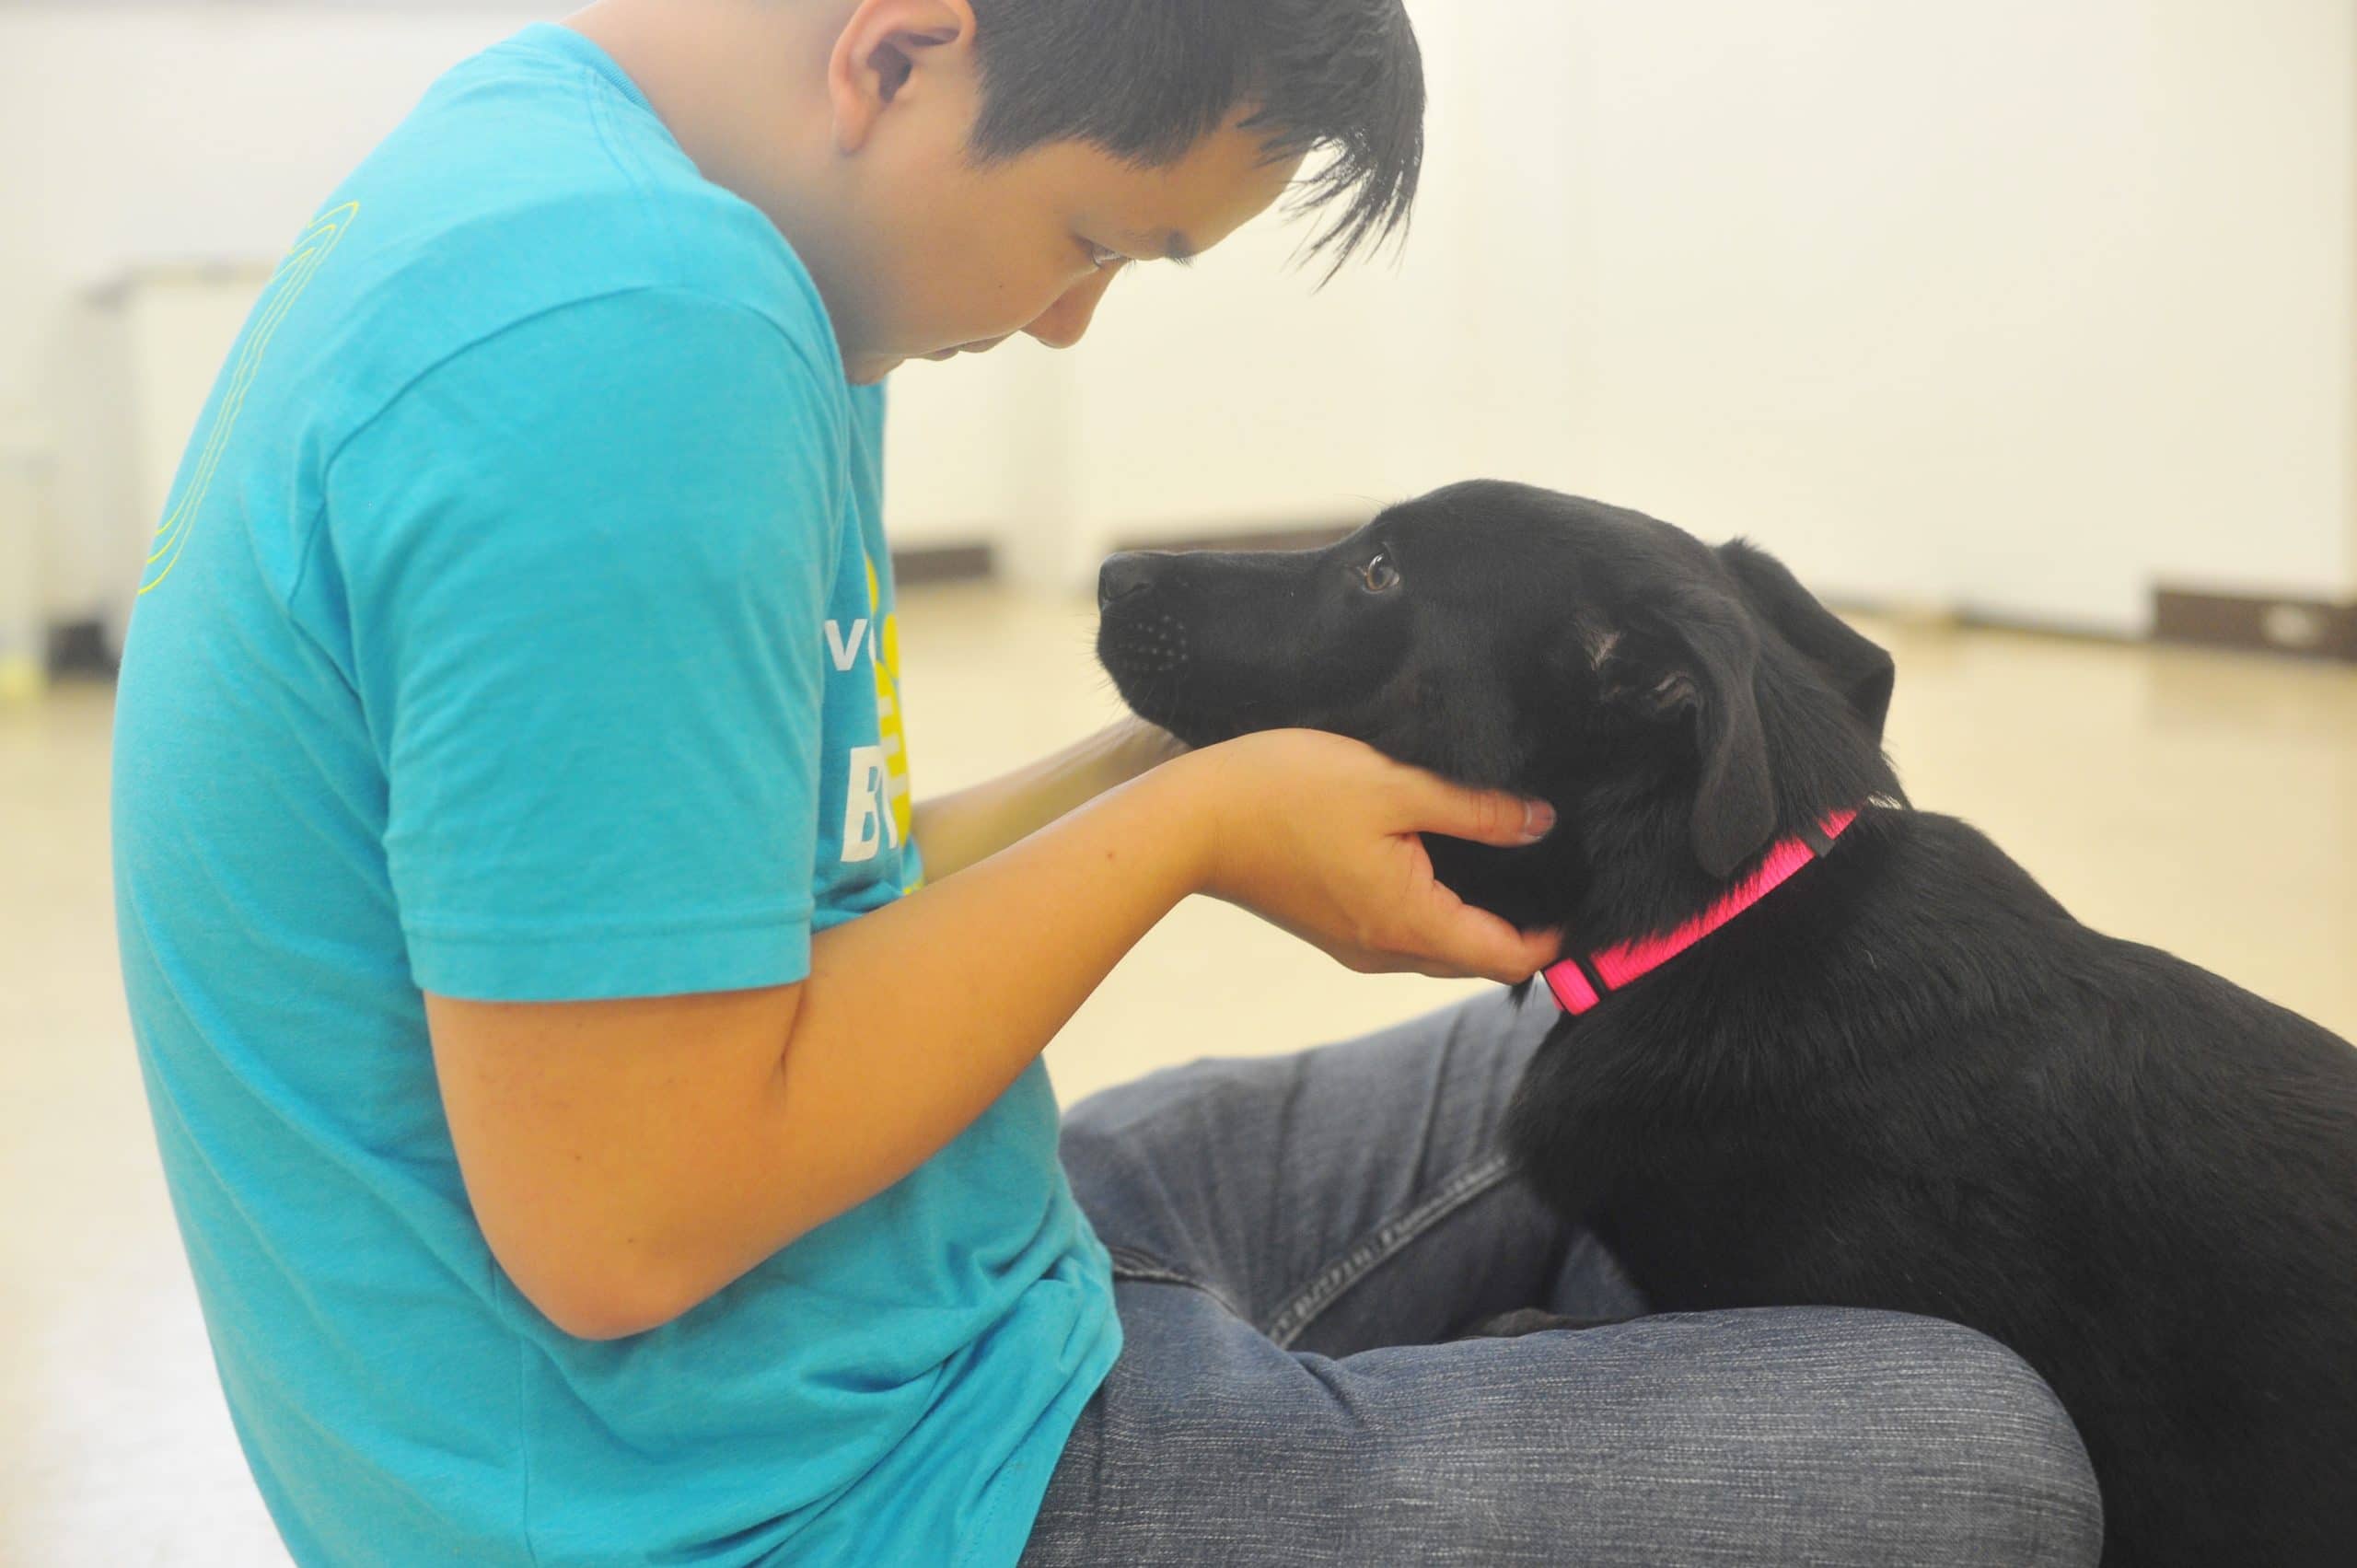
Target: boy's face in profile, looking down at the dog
{"x":958,"y":256}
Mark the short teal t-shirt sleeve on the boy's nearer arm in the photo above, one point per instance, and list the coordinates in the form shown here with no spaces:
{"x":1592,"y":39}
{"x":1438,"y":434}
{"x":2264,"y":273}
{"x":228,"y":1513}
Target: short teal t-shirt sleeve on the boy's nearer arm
{"x":588,"y":567}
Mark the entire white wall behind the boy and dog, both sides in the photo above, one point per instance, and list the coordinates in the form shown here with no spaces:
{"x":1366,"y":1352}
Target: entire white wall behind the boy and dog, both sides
{"x":2014,"y":305}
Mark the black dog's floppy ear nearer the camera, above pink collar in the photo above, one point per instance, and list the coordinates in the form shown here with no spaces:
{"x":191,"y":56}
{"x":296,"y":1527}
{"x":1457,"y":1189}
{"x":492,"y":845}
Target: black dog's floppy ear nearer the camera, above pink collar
{"x":1736,"y":798}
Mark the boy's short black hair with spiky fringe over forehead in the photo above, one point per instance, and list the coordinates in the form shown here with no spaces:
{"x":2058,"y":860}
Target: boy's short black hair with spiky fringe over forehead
{"x":1147,"y":79}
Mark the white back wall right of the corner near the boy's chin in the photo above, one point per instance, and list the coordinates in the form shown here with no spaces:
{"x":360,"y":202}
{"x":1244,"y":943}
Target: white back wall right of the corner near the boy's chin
{"x":2014,"y":305}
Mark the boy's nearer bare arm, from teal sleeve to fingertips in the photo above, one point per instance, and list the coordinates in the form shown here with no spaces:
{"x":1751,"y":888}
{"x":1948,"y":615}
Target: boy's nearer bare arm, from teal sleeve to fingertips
{"x":630,"y":1159}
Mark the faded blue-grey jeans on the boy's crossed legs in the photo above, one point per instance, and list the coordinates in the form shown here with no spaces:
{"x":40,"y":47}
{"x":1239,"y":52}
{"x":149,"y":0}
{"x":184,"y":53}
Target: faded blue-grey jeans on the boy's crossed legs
{"x":1298,"y":1239}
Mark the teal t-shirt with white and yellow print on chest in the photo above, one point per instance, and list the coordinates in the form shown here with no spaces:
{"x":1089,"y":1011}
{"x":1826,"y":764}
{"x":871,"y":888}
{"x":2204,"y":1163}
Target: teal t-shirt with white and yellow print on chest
{"x":522,"y":628}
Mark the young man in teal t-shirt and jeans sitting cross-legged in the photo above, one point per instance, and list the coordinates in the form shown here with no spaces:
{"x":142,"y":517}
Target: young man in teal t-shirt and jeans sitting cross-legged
{"x":600,"y":1142}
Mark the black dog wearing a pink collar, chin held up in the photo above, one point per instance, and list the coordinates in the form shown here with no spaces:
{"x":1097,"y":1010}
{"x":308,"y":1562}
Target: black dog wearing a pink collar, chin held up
{"x":1906,"y":1079}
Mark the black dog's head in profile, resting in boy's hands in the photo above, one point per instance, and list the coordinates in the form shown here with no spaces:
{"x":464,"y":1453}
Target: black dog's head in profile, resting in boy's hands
{"x":1682,"y":706}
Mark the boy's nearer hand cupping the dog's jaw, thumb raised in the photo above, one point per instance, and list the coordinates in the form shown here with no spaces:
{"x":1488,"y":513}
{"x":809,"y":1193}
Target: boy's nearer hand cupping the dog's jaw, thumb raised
{"x":1319,"y":836}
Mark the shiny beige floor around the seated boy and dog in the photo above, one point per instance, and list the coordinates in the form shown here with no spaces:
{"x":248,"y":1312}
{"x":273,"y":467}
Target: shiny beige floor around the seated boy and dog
{"x":2198,"y":803}
